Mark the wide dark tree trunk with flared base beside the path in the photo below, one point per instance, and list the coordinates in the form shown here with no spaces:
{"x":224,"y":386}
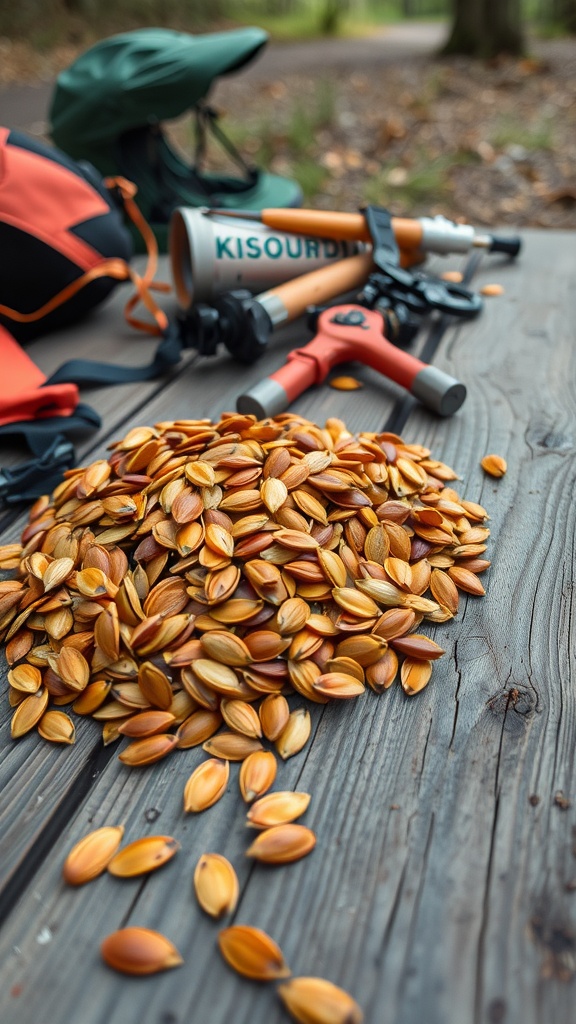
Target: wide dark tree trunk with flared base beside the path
{"x":486,"y":28}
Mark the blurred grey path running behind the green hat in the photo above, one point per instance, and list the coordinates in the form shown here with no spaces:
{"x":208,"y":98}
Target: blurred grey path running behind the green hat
{"x":26,"y":107}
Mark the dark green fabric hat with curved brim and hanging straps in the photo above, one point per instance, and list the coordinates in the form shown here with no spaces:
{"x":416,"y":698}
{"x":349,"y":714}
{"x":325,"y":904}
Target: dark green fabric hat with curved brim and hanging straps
{"x":108,"y":108}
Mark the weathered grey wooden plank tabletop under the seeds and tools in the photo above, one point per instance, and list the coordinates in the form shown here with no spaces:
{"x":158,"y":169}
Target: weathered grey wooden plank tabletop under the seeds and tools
{"x":443,"y":885}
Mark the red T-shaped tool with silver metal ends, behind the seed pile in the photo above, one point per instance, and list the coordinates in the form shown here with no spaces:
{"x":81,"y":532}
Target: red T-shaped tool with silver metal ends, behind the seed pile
{"x":349,"y":333}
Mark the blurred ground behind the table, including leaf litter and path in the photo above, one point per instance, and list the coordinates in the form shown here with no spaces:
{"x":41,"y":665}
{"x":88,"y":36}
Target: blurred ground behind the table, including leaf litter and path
{"x":387,"y":120}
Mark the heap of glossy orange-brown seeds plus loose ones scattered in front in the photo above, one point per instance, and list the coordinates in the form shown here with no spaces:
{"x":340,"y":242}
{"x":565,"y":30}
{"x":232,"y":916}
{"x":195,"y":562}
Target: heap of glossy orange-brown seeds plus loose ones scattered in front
{"x":179,"y":592}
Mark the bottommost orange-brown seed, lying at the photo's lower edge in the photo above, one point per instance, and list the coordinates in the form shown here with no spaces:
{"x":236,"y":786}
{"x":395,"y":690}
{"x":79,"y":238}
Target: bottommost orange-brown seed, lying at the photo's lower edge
{"x":314,"y":1001}
